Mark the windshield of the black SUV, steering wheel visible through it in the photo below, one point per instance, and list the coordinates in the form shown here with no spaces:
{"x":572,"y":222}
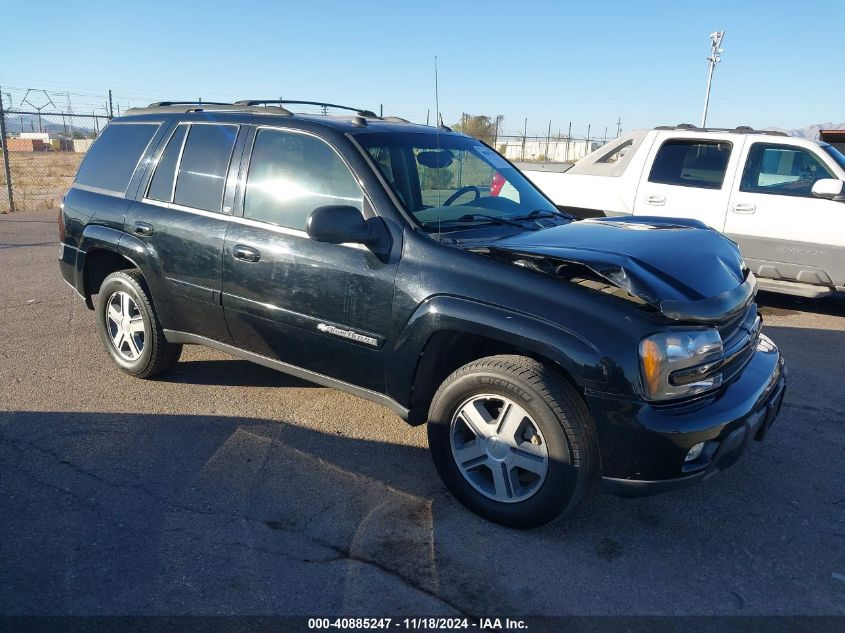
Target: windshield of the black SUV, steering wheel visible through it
{"x":448,"y":182}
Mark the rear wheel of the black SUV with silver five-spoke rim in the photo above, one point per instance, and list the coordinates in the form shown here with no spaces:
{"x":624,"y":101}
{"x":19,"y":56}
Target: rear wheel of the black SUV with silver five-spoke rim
{"x":130,"y":330}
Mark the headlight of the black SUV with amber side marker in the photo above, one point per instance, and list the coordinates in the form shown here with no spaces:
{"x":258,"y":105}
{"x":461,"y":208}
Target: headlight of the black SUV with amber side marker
{"x":680,"y":363}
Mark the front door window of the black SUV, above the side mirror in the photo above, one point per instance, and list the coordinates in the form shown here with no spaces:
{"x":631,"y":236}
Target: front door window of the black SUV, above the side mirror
{"x":292,"y":174}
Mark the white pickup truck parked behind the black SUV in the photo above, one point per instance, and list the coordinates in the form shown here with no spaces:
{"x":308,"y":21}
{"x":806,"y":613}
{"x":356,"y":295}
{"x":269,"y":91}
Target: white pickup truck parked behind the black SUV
{"x":781,"y":198}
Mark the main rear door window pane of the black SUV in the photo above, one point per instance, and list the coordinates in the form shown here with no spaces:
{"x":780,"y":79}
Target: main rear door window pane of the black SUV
{"x":205,"y":161}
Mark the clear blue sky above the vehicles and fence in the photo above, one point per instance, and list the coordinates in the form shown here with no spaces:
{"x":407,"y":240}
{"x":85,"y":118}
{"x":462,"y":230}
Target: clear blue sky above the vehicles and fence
{"x":584,"y":62}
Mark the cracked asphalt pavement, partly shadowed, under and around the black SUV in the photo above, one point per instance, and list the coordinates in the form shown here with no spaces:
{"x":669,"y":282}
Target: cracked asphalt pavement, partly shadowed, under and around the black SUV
{"x":226,"y":488}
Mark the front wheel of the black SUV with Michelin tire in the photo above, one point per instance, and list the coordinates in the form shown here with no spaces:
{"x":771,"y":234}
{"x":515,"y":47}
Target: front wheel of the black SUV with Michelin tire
{"x":512,"y":441}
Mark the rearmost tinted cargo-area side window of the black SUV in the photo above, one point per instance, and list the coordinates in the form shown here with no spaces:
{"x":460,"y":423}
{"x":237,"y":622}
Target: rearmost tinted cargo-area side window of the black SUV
{"x":112,"y":159}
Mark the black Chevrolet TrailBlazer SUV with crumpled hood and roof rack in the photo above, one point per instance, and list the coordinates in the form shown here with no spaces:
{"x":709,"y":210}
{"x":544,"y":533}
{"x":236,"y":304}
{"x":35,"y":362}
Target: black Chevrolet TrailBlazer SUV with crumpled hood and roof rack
{"x":418,"y":268}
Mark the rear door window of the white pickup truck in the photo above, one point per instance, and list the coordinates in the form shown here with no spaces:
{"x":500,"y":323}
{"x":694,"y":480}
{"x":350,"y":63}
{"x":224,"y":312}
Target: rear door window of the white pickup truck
{"x":691,"y":163}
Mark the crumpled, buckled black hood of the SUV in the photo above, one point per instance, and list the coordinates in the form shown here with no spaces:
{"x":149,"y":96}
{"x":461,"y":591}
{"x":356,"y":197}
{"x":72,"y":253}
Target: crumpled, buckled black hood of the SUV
{"x":681,"y":267}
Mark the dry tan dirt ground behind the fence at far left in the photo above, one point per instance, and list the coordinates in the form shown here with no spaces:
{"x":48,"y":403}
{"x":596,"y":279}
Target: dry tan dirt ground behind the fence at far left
{"x":39,"y":179}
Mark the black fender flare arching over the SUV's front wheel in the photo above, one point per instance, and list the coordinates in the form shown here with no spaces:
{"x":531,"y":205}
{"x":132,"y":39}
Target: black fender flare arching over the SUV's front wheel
{"x":577,"y":356}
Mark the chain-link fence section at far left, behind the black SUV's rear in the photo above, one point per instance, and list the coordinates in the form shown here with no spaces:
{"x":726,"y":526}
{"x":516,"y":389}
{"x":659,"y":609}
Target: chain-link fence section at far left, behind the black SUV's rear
{"x":41,"y":153}
